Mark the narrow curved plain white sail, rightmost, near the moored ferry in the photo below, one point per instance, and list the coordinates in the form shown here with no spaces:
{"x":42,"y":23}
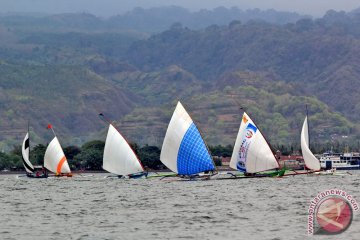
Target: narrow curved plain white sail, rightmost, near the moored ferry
{"x":310,"y":160}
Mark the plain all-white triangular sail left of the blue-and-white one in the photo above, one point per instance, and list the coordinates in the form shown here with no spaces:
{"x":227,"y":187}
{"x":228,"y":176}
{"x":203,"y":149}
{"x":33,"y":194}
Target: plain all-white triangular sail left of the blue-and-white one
{"x":119,"y":158}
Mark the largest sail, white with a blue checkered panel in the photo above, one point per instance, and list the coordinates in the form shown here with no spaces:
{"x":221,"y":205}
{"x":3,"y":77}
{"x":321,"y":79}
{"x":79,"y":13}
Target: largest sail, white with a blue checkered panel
{"x":183,"y":150}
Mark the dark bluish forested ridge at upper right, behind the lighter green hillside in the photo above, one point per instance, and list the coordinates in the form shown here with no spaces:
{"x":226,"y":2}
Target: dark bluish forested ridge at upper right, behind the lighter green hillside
{"x":321,"y":55}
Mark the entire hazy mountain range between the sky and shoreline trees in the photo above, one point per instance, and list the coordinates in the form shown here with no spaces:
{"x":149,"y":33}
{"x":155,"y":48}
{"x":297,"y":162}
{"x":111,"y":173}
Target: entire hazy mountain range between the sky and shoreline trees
{"x":64,"y":69}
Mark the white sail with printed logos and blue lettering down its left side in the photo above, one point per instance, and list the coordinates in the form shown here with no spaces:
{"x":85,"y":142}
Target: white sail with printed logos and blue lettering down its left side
{"x":251,"y":152}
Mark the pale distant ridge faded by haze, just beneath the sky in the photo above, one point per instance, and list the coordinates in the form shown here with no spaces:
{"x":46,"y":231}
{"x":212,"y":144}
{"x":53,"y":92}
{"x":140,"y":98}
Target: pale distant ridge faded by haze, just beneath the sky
{"x":142,"y":20}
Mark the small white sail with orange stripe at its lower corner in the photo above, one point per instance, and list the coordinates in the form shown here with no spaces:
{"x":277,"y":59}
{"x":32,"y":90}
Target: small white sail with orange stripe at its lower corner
{"x":54,"y":159}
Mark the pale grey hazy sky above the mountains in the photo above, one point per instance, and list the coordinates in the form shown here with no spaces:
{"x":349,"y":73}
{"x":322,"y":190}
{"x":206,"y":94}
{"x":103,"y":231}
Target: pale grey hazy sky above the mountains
{"x":316,"y":8}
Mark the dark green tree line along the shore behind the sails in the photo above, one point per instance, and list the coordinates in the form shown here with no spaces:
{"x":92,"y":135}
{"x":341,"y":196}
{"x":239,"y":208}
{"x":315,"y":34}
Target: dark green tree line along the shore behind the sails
{"x":89,"y":156}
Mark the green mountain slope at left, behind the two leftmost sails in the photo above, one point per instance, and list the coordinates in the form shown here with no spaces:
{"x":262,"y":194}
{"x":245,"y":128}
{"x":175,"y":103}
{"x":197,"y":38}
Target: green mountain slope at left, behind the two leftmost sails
{"x":68,"y":97}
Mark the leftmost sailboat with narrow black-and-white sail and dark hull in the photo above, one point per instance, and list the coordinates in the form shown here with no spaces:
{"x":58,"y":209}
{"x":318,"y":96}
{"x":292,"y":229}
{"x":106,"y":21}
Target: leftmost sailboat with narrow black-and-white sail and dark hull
{"x":31,"y":171}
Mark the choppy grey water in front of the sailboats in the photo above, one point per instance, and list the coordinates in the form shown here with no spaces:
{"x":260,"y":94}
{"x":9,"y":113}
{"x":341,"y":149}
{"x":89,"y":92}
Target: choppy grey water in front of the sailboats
{"x":96,"y":208}
